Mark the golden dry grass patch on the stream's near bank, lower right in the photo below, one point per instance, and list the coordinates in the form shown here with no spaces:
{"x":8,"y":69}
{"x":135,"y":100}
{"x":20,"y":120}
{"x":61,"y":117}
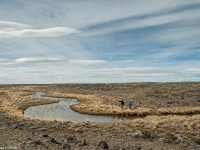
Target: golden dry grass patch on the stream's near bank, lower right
{"x":172,"y":128}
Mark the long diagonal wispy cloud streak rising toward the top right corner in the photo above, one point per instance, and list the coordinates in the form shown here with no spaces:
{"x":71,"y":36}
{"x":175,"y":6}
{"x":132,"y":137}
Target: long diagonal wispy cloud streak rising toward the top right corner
{"x":152,"y":19}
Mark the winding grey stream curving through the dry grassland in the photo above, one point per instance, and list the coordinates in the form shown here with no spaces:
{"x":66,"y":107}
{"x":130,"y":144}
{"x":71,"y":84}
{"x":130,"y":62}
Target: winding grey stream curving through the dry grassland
{"x":62,"y":112}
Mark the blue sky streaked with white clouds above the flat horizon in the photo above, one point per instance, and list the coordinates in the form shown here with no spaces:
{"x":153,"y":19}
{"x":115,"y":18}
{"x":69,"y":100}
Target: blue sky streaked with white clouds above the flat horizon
{"x":99,"y":41}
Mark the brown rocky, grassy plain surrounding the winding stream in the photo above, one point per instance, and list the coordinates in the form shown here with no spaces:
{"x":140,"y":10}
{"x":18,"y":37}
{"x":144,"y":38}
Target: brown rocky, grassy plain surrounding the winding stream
{"x":155,"y":132}
